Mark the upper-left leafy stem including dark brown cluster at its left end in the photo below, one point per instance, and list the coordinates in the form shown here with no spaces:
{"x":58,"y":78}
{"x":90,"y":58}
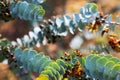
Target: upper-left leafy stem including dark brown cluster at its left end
{"x":28,"y":10}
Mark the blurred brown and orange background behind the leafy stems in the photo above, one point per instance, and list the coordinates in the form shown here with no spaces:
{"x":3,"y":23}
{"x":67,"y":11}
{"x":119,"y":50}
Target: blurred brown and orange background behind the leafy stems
{"x":18,"y":28}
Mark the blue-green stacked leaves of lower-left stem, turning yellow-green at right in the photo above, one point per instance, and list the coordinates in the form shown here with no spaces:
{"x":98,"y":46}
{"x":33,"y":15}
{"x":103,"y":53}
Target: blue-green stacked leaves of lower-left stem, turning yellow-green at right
{"x":37,"y":62}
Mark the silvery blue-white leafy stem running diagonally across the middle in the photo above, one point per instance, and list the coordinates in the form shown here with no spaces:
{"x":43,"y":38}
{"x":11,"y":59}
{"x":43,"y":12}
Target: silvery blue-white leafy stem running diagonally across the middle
{"x":62,"y":25}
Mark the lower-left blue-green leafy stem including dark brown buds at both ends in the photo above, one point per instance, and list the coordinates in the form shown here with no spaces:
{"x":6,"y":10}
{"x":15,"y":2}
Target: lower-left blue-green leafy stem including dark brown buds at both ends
{"x":32,"y":61}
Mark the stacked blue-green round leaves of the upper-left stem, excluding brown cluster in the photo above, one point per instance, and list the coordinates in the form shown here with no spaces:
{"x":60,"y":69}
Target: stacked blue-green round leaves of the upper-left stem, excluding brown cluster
{"x":27,"y":11}
